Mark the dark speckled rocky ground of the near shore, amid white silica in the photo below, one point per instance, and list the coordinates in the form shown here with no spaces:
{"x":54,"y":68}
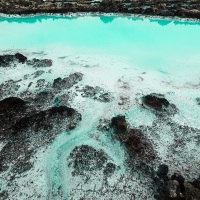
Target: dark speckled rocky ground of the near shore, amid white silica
{"x":33,"y":118}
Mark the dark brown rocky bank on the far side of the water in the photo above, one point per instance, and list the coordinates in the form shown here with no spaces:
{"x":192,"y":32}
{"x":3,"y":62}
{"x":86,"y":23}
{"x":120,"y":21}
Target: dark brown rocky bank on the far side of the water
{"x":173,"y":8}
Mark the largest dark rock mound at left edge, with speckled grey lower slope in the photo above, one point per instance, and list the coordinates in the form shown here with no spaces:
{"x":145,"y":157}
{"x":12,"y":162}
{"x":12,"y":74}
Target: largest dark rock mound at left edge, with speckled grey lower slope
{"x":23,"y":130}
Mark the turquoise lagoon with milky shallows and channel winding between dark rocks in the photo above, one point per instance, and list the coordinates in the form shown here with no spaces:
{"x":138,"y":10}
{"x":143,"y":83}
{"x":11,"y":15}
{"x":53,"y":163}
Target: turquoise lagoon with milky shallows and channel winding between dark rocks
{"x":127,"y":56}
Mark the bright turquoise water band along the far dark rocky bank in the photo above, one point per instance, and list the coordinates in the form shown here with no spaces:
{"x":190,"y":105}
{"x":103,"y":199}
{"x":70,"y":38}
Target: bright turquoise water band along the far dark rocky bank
{"x":159,"y":44}
